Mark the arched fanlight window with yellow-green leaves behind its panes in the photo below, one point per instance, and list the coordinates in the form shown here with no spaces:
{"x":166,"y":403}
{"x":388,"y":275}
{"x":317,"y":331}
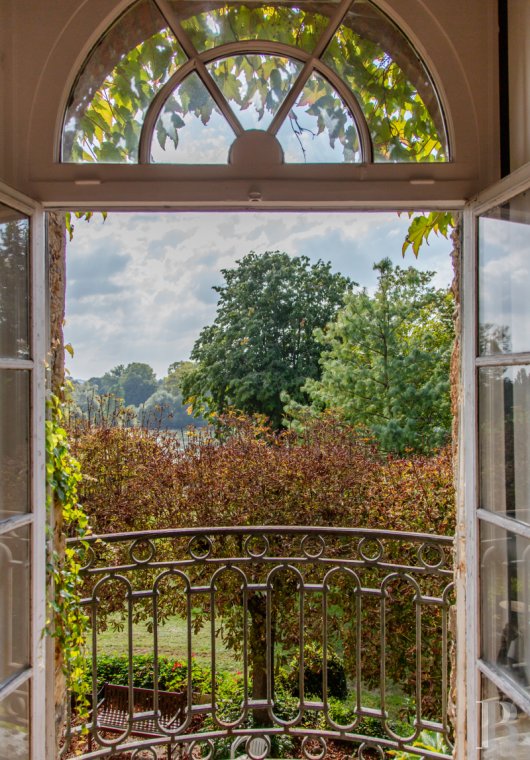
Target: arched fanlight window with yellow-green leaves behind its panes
{"x":325,"y":81}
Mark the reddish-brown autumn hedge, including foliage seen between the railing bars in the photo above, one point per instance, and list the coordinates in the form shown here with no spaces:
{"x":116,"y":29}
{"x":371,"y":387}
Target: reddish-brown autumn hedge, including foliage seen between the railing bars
{"x":332,"y":474}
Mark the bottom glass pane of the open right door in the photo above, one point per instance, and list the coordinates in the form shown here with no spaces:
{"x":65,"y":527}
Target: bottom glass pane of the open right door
{"x":505,"y":729}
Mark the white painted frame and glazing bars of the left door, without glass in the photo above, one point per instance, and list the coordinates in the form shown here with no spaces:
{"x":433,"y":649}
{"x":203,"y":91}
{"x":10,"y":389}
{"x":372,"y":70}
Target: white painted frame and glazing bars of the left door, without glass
{"x":35,"y":675}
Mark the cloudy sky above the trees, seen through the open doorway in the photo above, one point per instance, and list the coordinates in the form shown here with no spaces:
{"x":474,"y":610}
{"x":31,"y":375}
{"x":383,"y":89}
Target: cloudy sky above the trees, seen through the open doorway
{"x":140,"y":285}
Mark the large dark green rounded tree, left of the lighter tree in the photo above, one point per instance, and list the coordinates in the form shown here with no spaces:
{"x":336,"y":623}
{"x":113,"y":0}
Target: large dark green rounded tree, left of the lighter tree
{"x":262,"y":340}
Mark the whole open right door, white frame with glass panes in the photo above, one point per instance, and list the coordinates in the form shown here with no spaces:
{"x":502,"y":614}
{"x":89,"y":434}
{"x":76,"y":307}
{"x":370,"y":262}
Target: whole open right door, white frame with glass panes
{"x":495,"y":472}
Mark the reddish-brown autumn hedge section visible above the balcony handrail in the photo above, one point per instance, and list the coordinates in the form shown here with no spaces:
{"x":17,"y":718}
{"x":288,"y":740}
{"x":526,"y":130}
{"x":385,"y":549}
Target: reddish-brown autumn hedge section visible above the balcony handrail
{"x":136,"y":479}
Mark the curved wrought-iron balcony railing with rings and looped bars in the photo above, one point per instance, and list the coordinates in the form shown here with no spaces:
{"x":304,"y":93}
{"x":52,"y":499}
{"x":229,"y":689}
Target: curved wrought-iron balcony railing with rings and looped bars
{"x":267,"y":570}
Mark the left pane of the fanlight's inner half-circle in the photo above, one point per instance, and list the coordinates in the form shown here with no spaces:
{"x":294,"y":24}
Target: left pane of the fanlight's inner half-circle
{"x":190,"y":128}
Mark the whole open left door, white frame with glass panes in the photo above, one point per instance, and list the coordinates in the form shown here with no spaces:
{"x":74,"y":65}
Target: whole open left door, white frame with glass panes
{"x":23,"y":339}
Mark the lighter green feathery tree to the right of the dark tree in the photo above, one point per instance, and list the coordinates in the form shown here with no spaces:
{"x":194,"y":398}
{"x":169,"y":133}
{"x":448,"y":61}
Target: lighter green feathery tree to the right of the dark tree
{"x":385,"y":361}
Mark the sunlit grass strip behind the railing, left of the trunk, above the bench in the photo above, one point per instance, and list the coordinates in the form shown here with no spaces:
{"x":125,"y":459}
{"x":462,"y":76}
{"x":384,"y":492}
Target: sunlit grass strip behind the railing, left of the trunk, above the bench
{"x":172,"y":641}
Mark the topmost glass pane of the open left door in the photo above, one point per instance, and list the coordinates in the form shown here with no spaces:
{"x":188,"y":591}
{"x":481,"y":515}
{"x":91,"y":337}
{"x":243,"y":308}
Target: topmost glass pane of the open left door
{"x":14,"y":276}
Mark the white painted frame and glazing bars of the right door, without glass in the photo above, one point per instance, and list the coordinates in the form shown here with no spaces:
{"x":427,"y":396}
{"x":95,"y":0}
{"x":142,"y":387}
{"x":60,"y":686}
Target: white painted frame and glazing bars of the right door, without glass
{"x":470,"y":677}
